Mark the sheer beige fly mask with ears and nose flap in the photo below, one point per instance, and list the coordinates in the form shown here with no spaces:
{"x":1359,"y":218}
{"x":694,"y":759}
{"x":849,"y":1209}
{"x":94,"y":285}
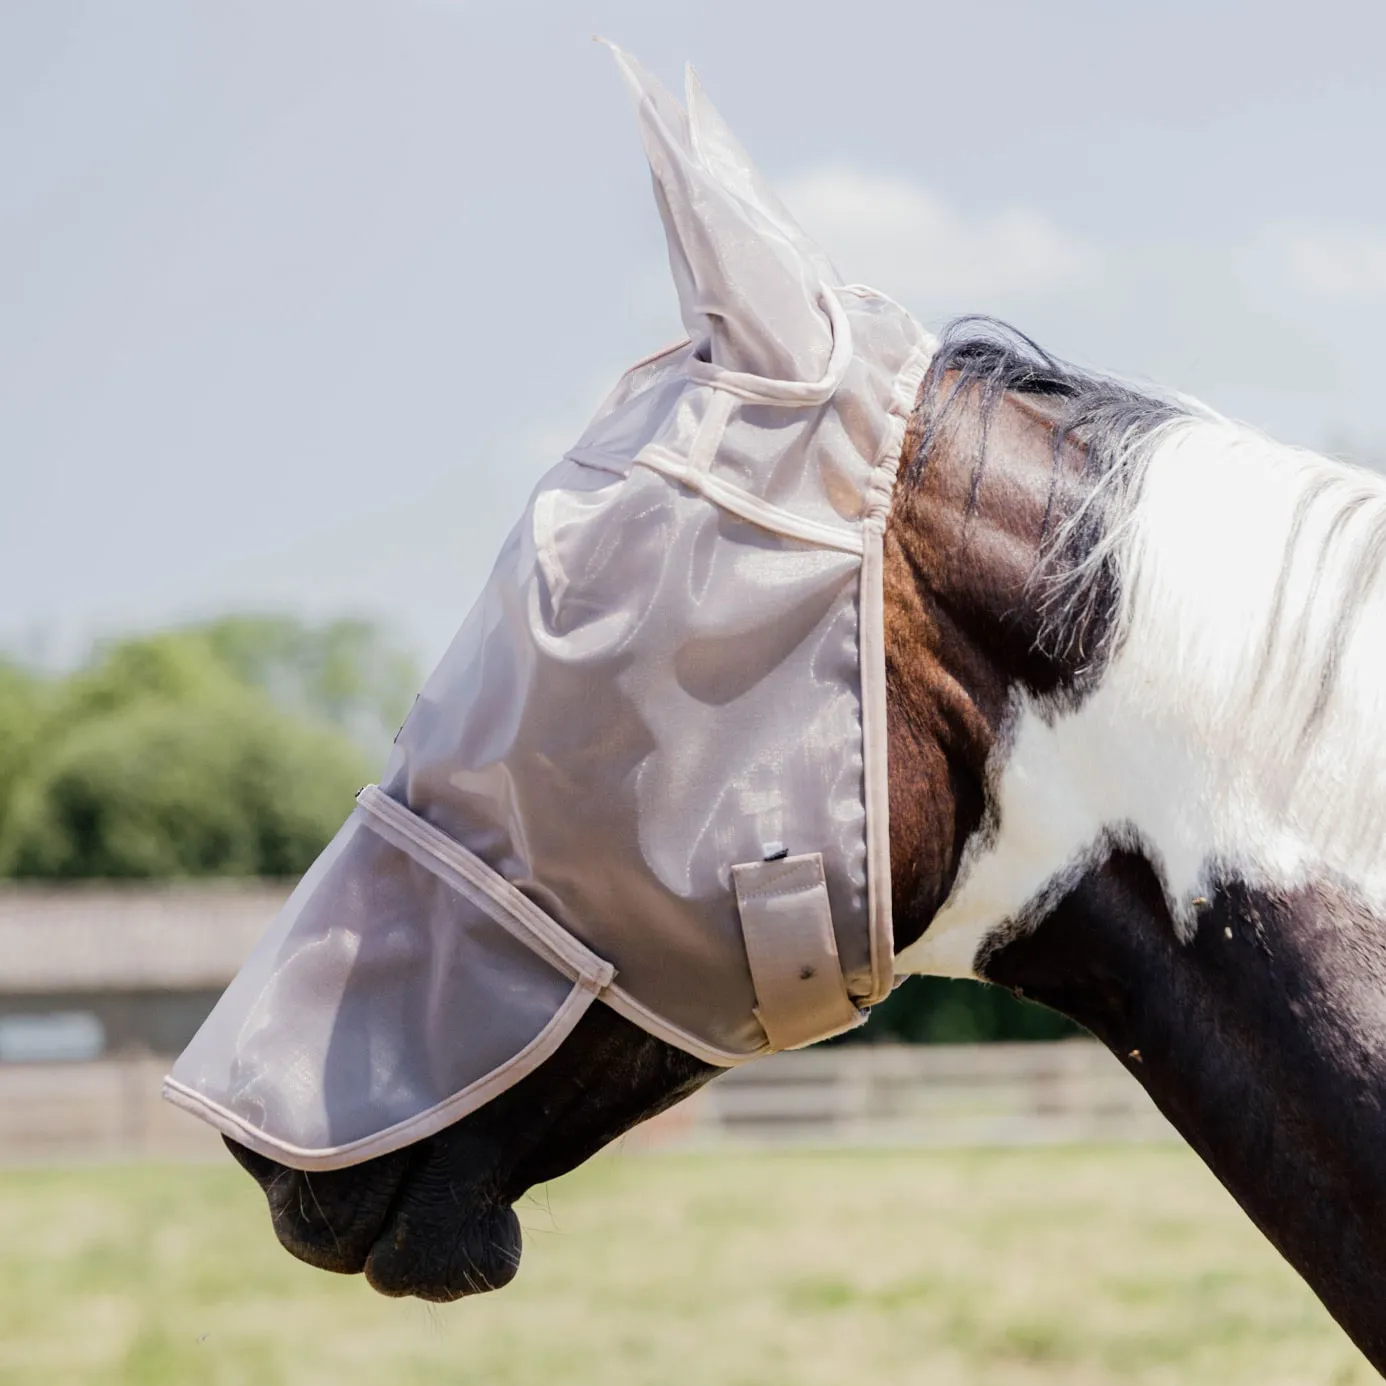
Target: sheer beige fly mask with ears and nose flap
{"x":651,"y":770}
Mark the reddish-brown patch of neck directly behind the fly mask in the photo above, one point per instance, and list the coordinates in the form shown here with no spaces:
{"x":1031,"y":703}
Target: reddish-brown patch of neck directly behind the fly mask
{"x":964,"y":629}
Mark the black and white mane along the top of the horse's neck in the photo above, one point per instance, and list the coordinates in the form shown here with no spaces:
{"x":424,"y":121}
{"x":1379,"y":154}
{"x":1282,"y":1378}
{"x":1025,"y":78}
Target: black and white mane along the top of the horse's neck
{"x":1330,"y":530}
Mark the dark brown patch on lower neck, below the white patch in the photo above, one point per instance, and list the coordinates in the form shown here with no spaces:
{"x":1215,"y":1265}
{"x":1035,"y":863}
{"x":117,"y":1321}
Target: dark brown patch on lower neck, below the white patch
{"x":1262,"y":1037}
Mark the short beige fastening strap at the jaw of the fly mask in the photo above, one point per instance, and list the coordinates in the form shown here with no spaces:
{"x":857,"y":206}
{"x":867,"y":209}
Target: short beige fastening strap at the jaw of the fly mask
{"x":788,"y":927}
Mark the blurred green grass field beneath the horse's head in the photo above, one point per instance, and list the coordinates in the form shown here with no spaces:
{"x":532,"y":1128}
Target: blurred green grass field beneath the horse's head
{"x":709,"y":1270}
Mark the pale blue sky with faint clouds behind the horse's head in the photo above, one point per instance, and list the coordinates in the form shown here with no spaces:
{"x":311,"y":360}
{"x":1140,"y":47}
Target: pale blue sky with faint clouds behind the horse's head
{"x":299,"y":300}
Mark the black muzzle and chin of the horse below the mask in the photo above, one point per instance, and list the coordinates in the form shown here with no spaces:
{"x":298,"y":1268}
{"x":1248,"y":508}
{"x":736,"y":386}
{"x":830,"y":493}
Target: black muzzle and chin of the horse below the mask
{"x":437,"y":1220}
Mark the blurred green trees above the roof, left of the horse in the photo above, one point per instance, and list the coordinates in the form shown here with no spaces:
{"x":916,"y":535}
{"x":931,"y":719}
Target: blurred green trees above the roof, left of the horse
{"x":225,"y":749}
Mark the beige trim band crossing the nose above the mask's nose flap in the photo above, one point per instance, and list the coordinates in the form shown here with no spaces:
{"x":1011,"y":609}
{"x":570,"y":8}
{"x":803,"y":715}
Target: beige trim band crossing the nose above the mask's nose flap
{"x":471,"y":877}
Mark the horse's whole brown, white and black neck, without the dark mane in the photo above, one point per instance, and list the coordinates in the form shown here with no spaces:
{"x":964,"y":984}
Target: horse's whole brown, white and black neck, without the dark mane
{"x":1175,"y":848}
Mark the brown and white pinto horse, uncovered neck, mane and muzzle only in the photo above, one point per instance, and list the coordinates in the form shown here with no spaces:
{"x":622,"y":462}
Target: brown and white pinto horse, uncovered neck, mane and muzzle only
{"x":1136,"y":746}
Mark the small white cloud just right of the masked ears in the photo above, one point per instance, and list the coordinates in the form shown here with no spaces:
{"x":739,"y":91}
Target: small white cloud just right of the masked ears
{"x":903,"y":238}
